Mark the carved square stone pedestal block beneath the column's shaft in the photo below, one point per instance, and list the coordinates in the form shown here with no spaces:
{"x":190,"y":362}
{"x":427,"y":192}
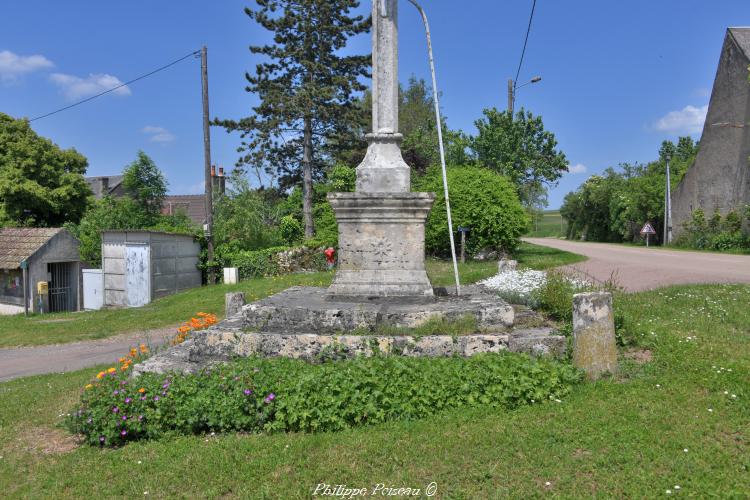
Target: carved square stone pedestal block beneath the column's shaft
{"x":381,"y":244}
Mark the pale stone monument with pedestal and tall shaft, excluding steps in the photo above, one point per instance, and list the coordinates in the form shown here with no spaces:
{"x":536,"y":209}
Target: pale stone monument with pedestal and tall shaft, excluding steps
{"x":381,"y":225}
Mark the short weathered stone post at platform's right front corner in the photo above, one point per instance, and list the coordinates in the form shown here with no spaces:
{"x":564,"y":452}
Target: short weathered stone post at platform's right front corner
{"x":594,"y":343}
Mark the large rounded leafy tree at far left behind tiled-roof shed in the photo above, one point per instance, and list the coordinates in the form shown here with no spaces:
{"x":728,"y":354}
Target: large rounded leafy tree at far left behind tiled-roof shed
{"x":40,"y":184}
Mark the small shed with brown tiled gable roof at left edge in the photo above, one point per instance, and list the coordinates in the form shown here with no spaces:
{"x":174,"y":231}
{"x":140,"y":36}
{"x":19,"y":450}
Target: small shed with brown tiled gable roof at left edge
{"x":29,"y":256}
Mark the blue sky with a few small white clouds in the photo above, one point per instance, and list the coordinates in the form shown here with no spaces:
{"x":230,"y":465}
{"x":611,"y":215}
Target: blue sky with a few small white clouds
{"x":618,"y":77}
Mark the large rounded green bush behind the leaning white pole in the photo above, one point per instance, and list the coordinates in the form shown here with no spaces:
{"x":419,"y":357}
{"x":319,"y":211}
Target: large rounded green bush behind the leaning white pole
{"x":479,"y":198}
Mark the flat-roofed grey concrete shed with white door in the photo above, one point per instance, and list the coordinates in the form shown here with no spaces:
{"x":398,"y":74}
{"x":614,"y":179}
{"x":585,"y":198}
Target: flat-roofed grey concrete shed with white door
{"x":140,"y":266}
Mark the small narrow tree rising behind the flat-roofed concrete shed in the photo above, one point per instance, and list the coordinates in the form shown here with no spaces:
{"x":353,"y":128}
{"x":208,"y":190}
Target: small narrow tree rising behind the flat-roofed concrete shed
{"x":145,"y":184}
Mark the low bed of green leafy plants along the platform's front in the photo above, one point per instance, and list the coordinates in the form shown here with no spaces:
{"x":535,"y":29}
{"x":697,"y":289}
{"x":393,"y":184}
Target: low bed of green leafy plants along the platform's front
{"x":253,"y":395}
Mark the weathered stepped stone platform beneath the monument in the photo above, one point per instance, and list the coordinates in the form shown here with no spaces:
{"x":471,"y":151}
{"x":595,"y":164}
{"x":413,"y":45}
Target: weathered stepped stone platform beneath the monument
{"x":308,"y":323}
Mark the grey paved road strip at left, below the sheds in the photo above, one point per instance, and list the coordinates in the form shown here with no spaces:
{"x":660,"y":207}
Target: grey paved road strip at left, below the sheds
{"x":25,"y":361}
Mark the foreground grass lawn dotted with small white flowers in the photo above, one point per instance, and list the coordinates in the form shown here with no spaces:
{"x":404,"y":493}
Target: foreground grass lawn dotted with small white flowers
{"x":666,"y":423}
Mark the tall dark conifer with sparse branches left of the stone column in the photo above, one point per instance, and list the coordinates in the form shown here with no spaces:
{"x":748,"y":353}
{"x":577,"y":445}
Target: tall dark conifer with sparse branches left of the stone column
{"x":306,"y":87}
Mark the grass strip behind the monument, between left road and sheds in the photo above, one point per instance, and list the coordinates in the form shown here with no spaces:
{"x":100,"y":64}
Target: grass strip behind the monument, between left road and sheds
{"x":172,"y":310}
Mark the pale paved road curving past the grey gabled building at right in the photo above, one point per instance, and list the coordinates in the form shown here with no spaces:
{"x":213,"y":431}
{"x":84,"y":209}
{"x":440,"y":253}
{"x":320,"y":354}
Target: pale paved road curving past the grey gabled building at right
{"x":639,"y":268}
